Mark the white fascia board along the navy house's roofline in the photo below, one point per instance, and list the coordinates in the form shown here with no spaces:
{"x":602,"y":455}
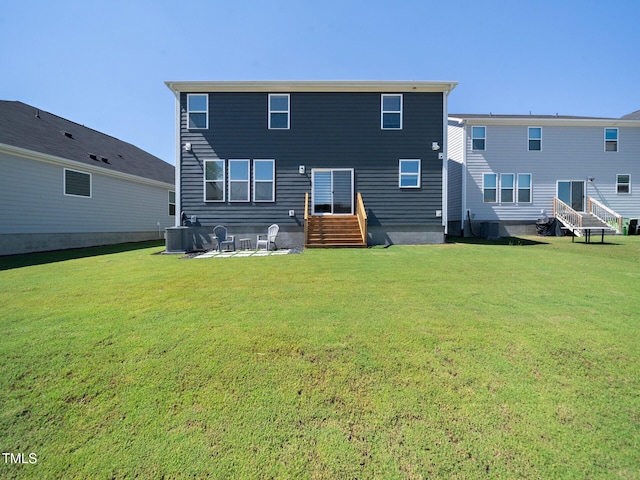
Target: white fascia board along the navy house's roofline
{"x":311,"y":86}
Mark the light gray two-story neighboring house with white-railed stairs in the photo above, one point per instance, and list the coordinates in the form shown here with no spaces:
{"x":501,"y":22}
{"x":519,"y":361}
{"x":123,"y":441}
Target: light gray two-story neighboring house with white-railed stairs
{"x":520,"y":168}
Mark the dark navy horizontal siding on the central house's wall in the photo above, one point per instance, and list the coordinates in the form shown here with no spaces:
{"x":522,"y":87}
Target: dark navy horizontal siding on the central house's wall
{"x":328,"y":130}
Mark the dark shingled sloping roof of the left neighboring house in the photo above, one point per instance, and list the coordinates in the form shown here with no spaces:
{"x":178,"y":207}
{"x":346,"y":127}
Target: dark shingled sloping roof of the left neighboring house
{"x":24,"y":126}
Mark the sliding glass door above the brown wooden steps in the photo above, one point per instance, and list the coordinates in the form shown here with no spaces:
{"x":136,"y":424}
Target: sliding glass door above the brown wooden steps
{"x":332,"y":191}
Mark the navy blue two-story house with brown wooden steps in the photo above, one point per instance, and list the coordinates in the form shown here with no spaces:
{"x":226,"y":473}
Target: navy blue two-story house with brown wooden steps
{"x":332,"y":163}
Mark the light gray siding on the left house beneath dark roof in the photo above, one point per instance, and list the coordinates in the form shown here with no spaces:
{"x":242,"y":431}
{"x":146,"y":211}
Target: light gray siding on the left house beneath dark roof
{"x":35,"y":202}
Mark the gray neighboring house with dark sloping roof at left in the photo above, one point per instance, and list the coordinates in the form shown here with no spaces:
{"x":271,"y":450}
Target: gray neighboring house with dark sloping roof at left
{"x":64,"y":185}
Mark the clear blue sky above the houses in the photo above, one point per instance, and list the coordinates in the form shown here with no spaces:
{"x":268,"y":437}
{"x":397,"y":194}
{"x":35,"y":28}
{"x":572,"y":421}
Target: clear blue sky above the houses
{"x":103,"y":63}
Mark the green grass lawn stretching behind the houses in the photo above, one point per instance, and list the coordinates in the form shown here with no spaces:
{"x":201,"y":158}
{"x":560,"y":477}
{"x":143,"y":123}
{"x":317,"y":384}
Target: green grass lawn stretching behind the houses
{"x":511,"y":359}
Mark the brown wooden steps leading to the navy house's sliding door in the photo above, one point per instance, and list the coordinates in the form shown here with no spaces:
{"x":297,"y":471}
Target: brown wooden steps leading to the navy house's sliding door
{"x":334,"y":231}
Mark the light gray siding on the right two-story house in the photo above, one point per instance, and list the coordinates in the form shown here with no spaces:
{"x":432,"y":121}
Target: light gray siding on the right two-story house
{"x":568,"y":153}
